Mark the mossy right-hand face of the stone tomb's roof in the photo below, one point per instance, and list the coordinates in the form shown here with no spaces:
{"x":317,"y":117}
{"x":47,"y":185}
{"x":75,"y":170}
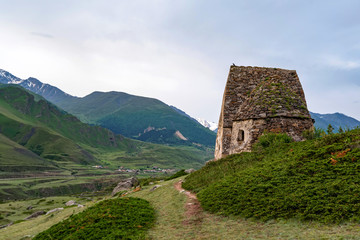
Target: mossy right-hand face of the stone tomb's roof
{"x":275,"y":96}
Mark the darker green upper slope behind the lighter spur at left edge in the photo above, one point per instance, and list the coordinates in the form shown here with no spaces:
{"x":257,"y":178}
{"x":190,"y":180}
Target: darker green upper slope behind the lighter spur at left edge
{"x":43,"y":113}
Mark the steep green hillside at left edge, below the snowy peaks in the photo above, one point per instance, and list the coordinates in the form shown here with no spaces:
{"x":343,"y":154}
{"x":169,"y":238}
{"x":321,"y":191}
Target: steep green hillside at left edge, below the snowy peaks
{"x":47,"y":131}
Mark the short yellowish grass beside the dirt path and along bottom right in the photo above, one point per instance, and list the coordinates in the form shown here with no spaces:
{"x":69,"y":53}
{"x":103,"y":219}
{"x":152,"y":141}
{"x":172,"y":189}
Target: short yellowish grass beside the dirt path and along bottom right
{"x":169,"y":205}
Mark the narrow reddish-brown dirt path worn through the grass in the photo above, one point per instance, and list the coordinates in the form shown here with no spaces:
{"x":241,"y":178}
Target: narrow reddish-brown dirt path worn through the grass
{"x":193,"y":211}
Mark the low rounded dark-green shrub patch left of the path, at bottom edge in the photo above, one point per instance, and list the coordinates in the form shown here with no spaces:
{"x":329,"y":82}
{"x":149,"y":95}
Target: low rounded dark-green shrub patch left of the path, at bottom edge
{"x":119,"y":218}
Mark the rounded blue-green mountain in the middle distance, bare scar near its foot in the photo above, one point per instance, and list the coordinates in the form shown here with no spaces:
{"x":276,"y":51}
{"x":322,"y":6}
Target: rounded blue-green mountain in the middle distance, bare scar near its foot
{"x":131,"y":115}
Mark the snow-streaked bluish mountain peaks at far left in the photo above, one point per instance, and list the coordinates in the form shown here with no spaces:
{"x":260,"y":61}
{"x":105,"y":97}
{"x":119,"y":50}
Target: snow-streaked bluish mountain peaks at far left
{"x":49,"y":92}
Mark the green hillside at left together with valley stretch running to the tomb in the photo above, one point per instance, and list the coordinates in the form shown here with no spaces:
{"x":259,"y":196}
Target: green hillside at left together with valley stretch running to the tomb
{"x":53,"y":134}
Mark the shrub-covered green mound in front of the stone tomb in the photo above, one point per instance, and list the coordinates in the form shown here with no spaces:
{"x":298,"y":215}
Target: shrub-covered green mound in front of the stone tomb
{"x":316,"y":179}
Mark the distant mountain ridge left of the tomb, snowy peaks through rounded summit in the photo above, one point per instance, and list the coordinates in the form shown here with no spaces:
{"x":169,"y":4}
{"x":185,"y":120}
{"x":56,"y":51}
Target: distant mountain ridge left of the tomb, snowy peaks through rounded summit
{"x":124,"y":113}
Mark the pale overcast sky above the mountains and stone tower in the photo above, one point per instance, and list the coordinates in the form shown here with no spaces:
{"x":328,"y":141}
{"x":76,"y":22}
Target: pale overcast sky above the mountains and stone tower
{"x":180,"y":51}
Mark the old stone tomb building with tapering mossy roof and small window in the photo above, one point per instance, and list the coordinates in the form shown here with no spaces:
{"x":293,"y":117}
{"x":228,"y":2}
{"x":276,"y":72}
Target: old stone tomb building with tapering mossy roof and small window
{"x":260,"y":99}
